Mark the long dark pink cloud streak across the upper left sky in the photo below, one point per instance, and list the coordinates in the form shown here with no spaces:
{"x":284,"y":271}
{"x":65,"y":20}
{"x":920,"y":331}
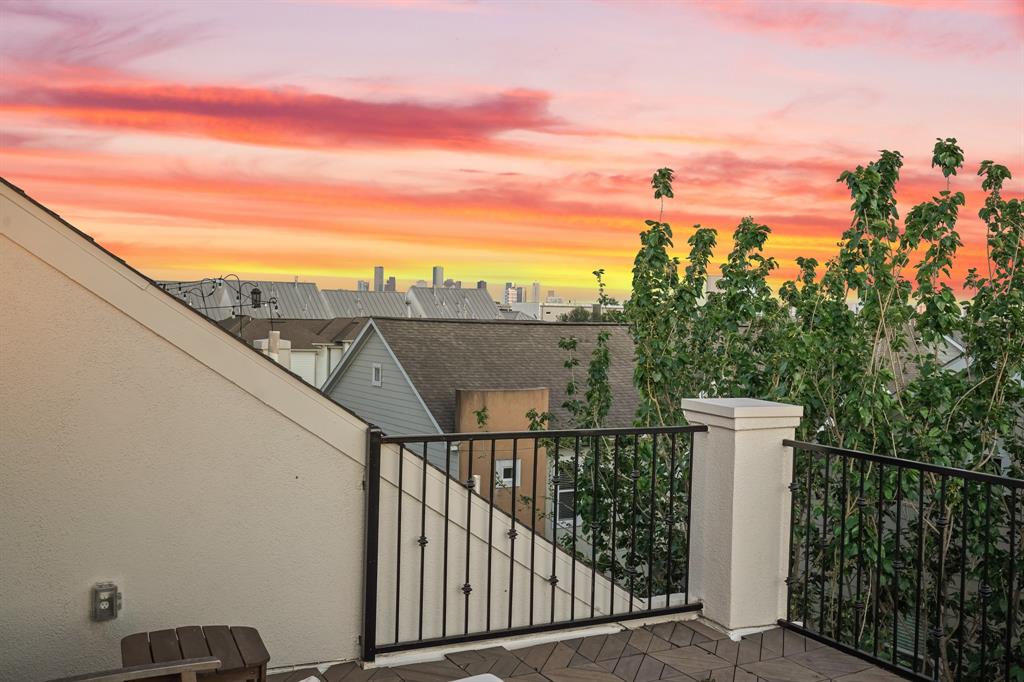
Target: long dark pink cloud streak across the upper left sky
{"x":285,"y":117}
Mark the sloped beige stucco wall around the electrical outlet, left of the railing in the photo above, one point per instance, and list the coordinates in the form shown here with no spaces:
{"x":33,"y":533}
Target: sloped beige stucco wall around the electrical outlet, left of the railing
{"x":141,"y":445}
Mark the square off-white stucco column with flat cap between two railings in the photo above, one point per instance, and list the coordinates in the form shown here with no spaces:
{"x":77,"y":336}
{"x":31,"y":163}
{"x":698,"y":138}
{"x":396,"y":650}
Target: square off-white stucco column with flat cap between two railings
{"x":741,"y":508}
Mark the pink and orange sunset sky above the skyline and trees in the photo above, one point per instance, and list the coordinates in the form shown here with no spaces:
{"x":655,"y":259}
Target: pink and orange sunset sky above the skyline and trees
{"x":504,"y":141}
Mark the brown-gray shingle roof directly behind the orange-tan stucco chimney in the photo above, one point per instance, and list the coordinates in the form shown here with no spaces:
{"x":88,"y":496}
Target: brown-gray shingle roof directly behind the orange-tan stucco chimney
{"x":444,"y":356}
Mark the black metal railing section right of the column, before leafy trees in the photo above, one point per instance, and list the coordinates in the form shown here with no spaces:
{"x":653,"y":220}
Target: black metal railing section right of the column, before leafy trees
{"x":915,"y":567}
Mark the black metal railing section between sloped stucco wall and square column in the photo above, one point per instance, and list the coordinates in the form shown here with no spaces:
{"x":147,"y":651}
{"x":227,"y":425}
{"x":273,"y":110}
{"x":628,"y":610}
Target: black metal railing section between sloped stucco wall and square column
{"x":472,"y":536}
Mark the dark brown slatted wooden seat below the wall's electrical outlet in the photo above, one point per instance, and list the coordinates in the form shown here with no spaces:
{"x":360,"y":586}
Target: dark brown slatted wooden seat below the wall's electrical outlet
{"x":240,"y":652}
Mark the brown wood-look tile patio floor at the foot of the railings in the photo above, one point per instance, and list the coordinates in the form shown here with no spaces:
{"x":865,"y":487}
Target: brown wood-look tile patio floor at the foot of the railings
{"x":679,"y":652}
